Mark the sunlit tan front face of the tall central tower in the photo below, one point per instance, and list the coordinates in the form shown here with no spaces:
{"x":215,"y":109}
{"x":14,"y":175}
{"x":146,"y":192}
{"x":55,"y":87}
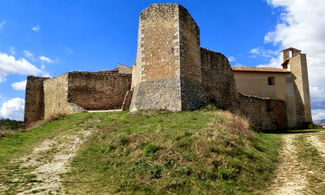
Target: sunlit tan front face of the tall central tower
{"x":156,"y":82}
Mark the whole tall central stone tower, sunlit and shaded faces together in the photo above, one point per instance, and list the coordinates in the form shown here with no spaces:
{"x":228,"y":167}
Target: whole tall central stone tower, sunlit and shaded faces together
{"x":167,"y":72}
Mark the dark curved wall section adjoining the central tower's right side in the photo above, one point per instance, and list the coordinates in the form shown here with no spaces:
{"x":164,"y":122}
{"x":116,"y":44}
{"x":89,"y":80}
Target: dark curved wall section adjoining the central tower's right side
{"x":217,"y":79}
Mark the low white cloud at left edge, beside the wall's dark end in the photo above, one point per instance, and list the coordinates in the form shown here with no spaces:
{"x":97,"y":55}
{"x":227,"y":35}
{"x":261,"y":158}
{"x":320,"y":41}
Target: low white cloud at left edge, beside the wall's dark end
{"x":13,"y":109}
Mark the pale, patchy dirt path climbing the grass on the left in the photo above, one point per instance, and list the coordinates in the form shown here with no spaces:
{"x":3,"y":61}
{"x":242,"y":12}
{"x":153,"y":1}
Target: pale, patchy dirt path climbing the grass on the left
{"x":40,"y":171}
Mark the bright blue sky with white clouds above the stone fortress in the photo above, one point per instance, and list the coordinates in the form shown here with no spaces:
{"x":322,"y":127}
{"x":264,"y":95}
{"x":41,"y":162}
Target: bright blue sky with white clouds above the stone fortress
{"x":48,"y":38}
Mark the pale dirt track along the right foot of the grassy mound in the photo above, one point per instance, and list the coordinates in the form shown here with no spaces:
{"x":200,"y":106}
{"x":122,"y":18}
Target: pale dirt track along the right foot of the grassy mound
{"x":291,"y":175}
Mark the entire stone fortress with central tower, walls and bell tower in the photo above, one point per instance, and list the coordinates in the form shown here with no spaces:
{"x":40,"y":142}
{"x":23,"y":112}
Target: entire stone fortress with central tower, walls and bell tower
{"x":172,"y":72}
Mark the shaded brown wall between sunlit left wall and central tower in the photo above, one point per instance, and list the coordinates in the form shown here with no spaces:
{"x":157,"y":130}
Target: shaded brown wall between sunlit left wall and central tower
{"x":94,"y":91}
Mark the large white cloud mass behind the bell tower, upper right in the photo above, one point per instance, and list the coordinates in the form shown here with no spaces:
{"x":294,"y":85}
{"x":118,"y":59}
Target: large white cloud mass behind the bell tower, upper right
{"x":302,"y":25}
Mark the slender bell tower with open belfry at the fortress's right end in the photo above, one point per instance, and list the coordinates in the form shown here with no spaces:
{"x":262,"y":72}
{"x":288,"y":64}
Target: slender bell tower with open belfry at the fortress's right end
{"x":299,"y":109}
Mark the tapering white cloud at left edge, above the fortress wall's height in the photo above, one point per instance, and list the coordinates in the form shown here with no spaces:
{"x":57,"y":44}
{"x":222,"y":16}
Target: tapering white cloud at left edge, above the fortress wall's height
{"x":11,"y":65}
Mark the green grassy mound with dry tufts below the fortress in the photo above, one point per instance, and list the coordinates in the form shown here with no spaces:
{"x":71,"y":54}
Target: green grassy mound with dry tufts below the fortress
{"x":205,"y":151}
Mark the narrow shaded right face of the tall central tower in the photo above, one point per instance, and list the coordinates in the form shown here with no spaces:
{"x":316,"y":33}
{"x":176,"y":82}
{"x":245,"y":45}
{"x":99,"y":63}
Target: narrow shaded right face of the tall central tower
{"x":190,"y":62}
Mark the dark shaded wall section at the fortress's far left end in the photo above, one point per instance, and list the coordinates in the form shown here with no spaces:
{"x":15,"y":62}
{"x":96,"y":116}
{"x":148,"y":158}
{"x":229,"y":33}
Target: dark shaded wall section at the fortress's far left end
{"x":34,"y":100}
